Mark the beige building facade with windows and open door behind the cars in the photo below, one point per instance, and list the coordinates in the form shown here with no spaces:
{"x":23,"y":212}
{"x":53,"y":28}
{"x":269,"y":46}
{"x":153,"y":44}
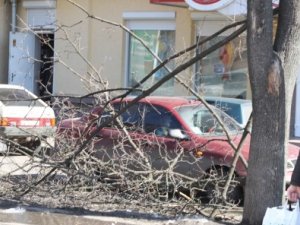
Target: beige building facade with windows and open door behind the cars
{"x":71,"y":47}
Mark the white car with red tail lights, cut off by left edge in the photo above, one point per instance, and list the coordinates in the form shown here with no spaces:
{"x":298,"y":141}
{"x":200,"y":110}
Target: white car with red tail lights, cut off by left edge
{"x":26,"y":122}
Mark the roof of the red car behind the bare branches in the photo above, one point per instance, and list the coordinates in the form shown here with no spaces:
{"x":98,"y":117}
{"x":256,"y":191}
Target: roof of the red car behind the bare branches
{"x":165,"y":101}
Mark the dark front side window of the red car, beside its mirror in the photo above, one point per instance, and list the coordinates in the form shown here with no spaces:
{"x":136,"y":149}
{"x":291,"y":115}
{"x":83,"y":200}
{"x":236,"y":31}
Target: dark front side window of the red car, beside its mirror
{"x":157,"y":117}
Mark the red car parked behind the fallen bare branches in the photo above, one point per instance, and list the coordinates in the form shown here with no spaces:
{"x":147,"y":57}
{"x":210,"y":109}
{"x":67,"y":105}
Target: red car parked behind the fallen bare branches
{"x":165,"y":132}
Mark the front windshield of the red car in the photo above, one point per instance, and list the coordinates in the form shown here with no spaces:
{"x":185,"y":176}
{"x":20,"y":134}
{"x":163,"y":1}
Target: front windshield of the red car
{"x":201,"y":121}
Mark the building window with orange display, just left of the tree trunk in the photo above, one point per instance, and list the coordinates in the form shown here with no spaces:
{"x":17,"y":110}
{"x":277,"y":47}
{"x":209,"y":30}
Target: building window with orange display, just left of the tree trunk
{"x":223,"y":72}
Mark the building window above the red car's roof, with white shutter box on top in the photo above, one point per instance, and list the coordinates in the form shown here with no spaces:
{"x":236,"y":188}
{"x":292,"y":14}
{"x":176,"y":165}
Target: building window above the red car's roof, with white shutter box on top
{"x":159,"y":35}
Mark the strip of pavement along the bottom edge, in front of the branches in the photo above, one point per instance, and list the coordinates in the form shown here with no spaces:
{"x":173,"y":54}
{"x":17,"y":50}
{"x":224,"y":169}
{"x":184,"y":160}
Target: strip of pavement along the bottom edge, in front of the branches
{"x":21,"y":216}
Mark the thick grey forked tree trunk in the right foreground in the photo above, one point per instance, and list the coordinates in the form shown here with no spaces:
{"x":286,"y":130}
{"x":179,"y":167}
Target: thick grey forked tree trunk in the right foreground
{"x":272,"y":77}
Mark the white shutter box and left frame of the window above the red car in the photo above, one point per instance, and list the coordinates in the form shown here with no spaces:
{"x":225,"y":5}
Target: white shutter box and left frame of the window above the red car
{"x":145,"y":21}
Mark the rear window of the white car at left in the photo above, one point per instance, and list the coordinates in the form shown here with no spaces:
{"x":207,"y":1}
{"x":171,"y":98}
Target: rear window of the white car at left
{"x":18,"y":97}
